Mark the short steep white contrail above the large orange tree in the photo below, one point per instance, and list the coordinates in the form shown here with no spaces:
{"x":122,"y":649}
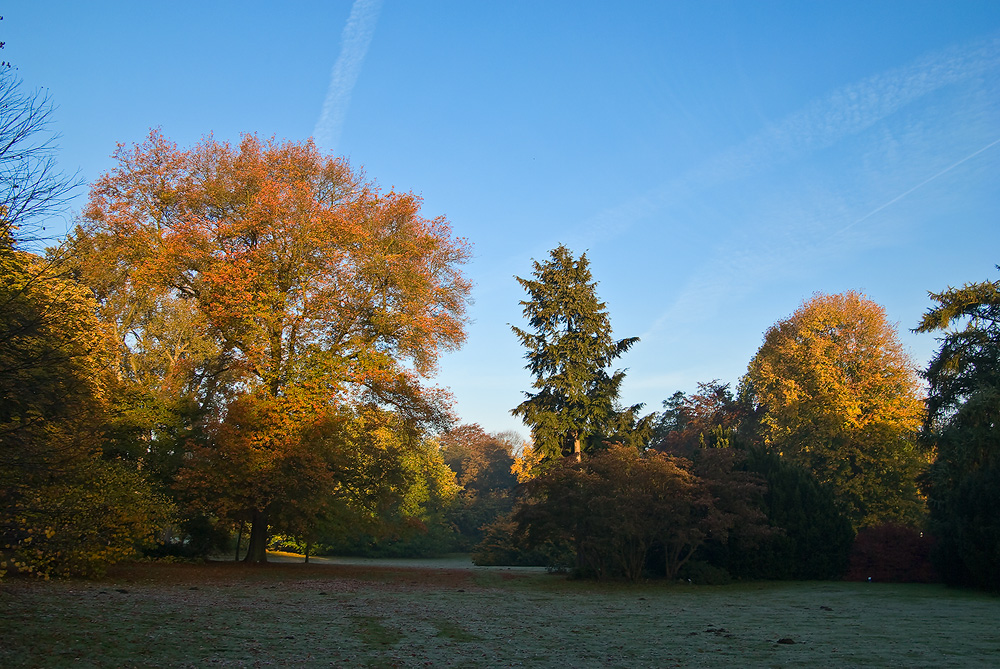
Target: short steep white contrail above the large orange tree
{"x":354,"y":41}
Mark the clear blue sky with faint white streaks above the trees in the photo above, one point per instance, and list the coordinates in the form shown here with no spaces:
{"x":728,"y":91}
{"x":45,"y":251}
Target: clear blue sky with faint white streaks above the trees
{"x":719,"y":161}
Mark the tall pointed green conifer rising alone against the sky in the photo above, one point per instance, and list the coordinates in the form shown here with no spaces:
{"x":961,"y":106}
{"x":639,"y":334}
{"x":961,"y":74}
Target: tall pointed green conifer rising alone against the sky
{"x":569,"y":347}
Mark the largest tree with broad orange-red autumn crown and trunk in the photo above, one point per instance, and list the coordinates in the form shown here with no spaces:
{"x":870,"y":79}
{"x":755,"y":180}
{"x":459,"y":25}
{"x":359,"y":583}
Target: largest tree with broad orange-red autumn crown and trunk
{"x":264,"y":273}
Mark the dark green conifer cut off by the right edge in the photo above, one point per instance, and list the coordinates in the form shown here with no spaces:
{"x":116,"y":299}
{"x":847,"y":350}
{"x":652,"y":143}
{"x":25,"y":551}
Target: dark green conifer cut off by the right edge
{"x":963,"y":484}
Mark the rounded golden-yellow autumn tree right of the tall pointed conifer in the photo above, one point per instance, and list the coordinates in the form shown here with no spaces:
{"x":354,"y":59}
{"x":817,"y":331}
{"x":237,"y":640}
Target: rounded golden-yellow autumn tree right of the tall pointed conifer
{"x":838,"y":395}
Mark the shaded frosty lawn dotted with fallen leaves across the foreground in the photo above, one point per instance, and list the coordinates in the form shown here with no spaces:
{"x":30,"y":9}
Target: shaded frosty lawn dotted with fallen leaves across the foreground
{"x":295,"y":615}
